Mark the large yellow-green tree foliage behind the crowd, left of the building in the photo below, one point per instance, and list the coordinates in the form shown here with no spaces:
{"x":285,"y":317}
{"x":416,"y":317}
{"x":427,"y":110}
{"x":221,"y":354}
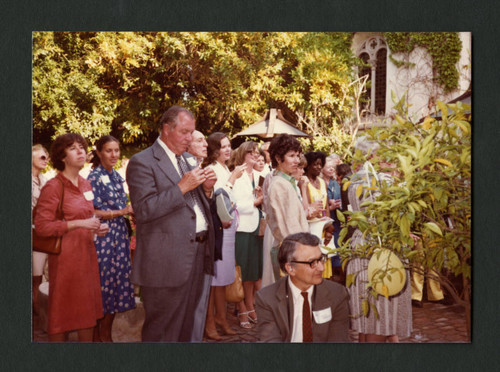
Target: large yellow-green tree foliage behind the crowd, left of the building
{"x":121,"y":82}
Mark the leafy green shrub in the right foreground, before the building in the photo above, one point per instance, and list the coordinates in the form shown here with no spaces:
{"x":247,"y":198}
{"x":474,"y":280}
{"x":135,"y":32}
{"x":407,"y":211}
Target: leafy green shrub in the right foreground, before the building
{"x":430,"y":197}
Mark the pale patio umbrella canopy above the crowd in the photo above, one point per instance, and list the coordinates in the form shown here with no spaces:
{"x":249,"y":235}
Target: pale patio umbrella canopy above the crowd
{"x":272,"y":124}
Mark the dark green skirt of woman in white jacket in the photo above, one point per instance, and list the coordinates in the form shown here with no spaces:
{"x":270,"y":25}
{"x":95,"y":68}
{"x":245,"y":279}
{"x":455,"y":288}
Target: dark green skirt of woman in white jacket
{"x":248,"y":254}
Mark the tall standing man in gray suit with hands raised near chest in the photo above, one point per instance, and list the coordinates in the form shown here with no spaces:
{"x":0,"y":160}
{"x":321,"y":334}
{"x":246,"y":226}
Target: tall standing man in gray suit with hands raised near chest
{"x":174,"y":236}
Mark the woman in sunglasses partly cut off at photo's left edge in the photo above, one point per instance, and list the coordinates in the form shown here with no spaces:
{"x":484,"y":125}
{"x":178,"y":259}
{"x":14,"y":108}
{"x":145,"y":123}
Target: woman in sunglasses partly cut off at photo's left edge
{"x":39,"y":163}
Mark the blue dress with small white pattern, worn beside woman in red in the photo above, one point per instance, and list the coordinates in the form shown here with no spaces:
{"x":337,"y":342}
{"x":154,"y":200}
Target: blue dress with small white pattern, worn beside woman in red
{"x":113,"y":250}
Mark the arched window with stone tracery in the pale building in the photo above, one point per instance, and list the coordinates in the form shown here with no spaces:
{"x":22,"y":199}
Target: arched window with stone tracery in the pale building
{"x":374,"y":52}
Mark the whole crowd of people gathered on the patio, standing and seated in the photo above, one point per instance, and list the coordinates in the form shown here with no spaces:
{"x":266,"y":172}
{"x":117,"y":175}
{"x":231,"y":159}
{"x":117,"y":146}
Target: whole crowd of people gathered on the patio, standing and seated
{"x":282,"y":231}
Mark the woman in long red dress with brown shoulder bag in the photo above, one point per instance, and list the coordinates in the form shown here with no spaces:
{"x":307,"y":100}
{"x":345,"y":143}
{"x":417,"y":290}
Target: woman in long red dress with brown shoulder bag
{"x":74,"y":286}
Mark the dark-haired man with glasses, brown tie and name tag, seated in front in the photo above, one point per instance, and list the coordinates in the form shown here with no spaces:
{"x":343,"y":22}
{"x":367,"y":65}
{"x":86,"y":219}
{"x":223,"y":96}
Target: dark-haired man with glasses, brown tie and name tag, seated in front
{"x":302,"y":307}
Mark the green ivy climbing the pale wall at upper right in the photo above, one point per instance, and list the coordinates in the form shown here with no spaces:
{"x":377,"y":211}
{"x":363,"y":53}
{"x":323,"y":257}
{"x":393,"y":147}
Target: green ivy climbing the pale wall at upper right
{"x":443,"y":47}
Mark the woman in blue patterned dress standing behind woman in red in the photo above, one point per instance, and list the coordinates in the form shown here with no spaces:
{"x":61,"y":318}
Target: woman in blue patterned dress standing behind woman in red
{"x":113,"y":250}
